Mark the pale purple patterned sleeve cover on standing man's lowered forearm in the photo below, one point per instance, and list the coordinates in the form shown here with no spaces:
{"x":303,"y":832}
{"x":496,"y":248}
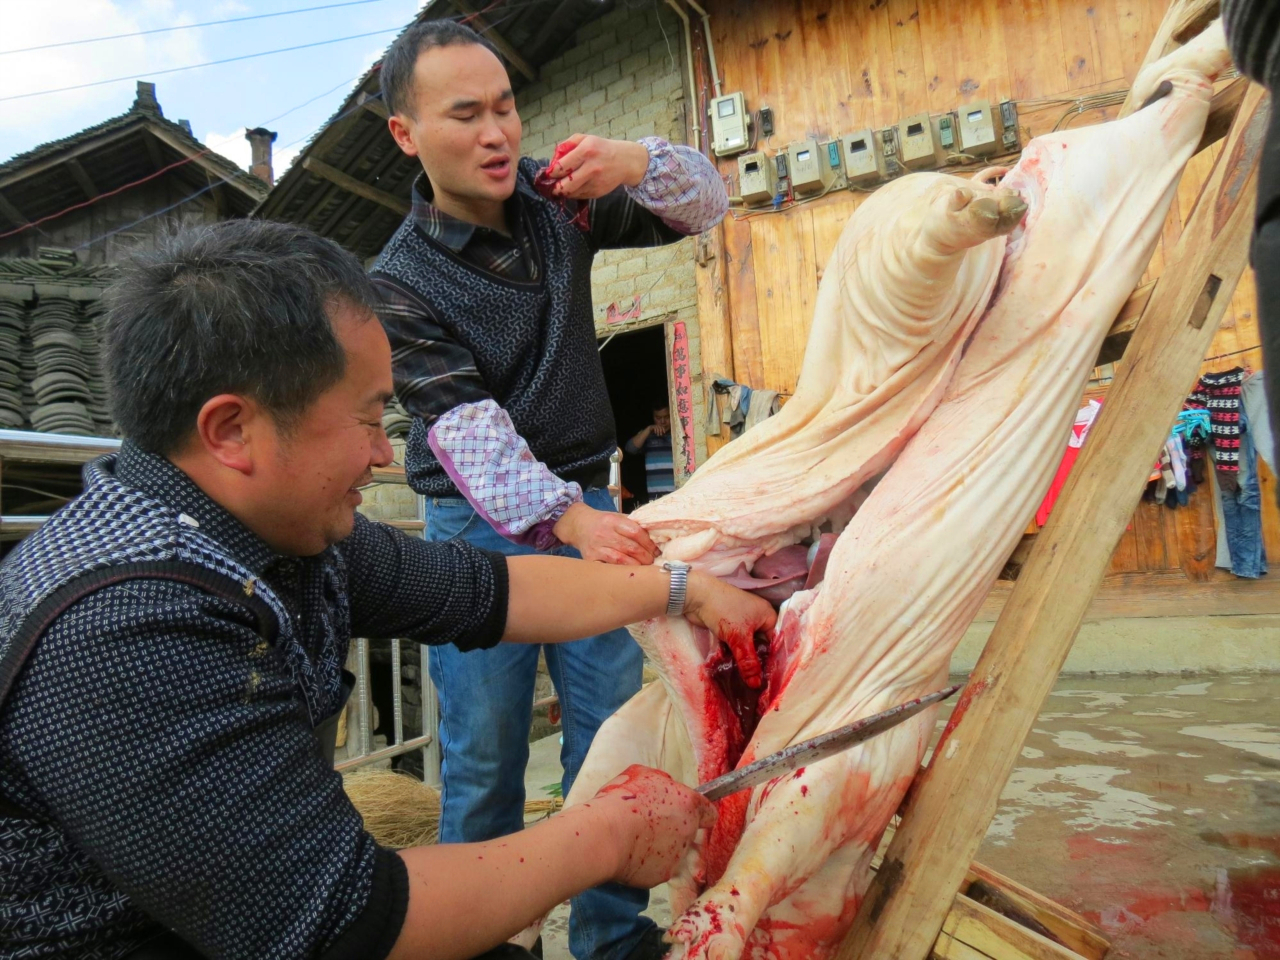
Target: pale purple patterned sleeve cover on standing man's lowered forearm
{"x":492,"y":465}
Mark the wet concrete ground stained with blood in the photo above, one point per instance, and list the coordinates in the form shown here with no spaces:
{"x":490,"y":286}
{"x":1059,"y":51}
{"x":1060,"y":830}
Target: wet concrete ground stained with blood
{"x":1149,"y":804}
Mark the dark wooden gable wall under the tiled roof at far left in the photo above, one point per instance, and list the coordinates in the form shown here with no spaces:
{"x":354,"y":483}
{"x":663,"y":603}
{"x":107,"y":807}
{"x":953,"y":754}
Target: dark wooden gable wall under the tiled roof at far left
{"x":109,"y":216}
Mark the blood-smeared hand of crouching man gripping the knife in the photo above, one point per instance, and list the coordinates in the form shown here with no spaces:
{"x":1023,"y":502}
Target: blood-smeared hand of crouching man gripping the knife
{"x":655,"y":822}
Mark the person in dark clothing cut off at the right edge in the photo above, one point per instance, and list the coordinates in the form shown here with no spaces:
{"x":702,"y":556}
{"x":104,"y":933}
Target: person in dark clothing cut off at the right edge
{"x":1254,"y":35}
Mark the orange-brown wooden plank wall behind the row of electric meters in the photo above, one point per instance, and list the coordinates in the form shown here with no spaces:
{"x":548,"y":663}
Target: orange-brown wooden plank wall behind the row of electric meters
{"x":831,"y":67}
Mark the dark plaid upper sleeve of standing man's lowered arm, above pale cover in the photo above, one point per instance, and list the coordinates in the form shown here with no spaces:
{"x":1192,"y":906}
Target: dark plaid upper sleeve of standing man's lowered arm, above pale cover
{"x":433,"y":372}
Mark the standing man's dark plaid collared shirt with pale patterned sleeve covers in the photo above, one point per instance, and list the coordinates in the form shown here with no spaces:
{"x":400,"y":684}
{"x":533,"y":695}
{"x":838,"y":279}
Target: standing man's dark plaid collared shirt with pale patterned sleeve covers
{"x":438,"y":381}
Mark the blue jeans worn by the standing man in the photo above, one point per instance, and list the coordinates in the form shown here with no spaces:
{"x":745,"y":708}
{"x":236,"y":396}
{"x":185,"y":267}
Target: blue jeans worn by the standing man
{"x":486,"y":715}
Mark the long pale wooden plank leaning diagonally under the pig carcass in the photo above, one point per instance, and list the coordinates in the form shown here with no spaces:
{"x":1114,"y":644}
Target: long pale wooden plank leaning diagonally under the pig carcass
{"x":956,"y":799}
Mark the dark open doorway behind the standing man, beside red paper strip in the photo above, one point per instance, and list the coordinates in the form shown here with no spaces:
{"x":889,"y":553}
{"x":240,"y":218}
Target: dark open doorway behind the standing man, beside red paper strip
{"x":636,"y":372}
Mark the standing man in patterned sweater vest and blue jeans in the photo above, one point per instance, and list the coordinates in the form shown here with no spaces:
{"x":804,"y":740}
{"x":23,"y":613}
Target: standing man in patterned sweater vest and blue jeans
{"x":487,"y":294}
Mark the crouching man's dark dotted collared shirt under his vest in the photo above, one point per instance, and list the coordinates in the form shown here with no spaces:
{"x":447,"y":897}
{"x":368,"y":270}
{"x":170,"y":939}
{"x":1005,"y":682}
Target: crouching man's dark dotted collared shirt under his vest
{"x":167,"y":758}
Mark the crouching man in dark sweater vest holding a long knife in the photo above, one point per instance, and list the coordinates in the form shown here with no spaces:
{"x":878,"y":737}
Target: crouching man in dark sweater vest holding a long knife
{"x":172,"y":648}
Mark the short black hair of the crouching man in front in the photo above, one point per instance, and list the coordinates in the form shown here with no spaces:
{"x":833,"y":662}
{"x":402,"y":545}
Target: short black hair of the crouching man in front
{"x":241,"y":307}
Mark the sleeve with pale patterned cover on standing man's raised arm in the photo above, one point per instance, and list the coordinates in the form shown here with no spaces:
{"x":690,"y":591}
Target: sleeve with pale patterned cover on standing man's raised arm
{"x":682,"y":195}
